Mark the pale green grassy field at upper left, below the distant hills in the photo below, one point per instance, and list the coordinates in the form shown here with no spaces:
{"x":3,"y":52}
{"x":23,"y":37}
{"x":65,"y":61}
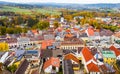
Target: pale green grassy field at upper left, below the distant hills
{"x":29,"y":11}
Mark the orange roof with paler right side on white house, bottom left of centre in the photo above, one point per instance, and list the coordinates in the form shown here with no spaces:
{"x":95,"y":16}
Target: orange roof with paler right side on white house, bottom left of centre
{"x":52,"y":61}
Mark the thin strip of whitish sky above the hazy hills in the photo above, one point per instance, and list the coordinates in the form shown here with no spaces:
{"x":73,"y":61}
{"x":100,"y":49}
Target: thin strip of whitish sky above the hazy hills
{"x":66,"y":1}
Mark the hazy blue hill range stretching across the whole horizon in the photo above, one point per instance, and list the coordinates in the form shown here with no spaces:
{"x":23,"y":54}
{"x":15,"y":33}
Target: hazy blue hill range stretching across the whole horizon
{"x":63,"y":5}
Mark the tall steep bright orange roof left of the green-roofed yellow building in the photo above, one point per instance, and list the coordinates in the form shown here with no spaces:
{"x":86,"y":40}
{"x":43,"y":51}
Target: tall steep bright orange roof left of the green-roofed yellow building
{"x":87,"y":54}
